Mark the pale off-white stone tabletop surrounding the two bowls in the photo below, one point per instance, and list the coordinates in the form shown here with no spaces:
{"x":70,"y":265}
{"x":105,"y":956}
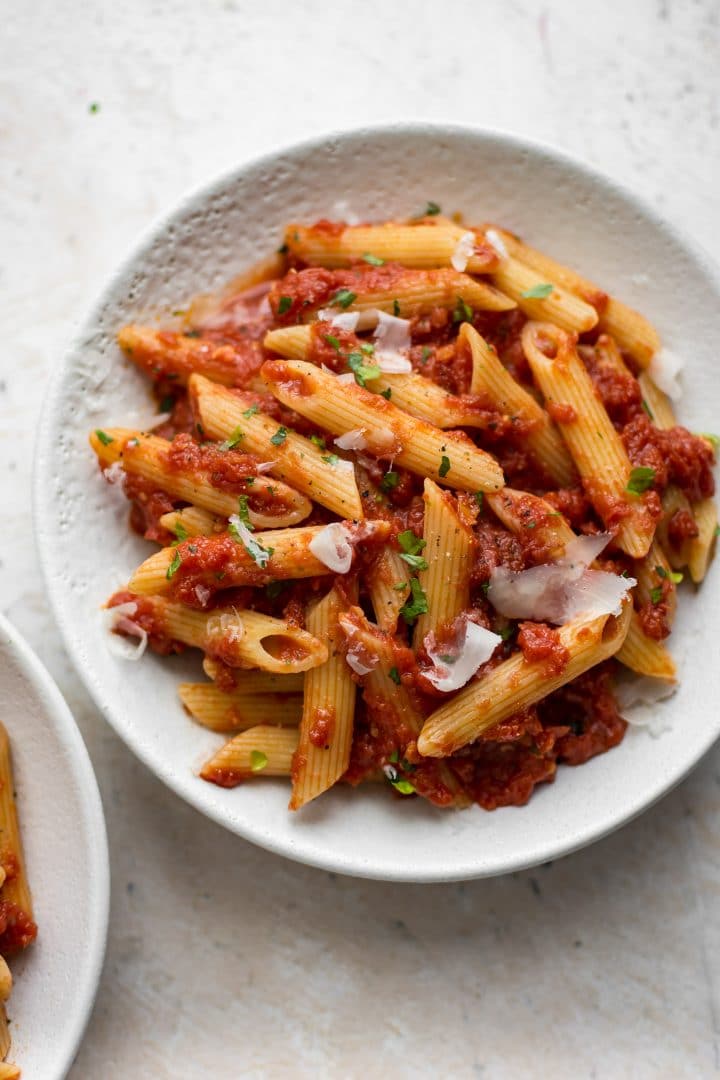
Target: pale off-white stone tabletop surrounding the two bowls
{"x":224,"y":961}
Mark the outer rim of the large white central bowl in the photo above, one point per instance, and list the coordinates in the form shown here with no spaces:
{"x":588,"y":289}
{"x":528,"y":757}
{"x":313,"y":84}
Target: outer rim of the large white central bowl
{"x":137,"y":251}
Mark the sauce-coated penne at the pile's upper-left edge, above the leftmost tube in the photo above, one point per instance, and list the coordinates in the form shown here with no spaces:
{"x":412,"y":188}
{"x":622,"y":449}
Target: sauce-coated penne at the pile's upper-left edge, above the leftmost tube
{"x":179,"y":356}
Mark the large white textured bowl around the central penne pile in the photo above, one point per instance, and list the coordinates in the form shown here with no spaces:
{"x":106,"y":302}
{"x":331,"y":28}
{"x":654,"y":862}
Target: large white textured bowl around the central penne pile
{"x":86,"y":548}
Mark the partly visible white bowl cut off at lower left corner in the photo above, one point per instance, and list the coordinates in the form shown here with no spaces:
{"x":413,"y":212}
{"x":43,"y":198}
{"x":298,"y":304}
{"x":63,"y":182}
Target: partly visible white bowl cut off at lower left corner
{"x":63,"y":829}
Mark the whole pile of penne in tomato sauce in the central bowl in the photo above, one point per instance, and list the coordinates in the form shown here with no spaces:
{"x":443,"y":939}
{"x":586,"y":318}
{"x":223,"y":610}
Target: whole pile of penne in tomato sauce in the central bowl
{"x":419,"y":496}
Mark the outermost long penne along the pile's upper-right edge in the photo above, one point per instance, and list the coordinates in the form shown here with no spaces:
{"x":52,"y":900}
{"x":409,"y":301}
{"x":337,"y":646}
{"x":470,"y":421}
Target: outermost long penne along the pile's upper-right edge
{"x":632,"y":332}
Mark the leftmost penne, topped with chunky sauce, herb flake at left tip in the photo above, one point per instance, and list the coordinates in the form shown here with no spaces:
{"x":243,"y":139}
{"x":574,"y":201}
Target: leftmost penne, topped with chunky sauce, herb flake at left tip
{"x":270,"y":503}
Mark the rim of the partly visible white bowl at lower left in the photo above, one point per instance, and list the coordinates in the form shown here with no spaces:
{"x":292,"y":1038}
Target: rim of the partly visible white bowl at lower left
{"x":79,"y":763}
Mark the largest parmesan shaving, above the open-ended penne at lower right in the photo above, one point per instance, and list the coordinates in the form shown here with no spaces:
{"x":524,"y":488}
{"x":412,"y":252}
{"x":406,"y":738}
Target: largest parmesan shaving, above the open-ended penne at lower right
{"x":562,"y":591}
